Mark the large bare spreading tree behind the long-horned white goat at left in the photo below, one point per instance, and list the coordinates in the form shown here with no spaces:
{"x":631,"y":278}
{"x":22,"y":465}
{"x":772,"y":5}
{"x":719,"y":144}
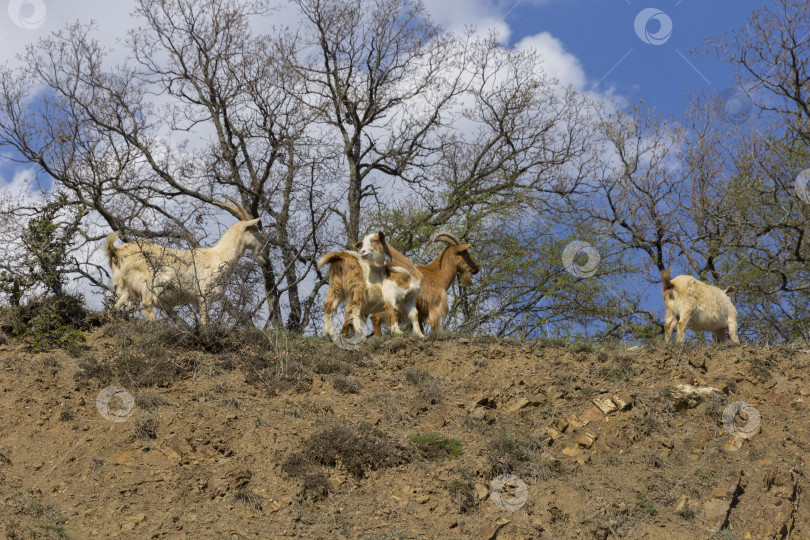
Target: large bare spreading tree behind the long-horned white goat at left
{"x":201,"y":109}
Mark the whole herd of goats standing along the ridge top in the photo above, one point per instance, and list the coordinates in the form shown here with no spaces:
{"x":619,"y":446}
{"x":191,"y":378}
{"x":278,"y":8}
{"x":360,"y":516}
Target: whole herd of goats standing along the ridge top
{"x":376,"y":281}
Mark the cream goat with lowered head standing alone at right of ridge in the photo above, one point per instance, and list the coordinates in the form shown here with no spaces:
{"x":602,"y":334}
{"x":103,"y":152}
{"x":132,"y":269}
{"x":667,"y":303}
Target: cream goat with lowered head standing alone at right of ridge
{"x":698,"y":306}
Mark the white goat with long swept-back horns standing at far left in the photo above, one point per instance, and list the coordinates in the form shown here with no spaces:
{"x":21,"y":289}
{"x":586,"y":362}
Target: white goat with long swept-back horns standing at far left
{"x":157,"y":276}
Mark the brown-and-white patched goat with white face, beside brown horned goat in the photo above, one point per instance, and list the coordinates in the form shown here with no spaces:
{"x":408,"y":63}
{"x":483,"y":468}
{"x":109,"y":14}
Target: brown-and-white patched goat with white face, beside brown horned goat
{"x":367,"y":283}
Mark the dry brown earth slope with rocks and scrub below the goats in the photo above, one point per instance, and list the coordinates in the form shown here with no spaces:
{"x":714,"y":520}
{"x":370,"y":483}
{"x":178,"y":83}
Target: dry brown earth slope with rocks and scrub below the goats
{"x":256,"y":437}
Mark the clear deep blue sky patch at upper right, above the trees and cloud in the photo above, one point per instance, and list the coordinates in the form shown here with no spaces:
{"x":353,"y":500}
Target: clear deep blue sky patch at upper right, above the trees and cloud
{"x":601,"y":32}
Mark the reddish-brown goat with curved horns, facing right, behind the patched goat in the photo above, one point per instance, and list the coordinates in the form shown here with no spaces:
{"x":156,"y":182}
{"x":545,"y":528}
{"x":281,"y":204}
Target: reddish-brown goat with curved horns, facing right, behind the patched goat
{"x":437,"y":276}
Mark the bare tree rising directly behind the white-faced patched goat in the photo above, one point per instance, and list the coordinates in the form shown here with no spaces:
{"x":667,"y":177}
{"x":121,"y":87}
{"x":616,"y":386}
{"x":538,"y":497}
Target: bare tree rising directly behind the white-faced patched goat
{"x":381,"y":78}
